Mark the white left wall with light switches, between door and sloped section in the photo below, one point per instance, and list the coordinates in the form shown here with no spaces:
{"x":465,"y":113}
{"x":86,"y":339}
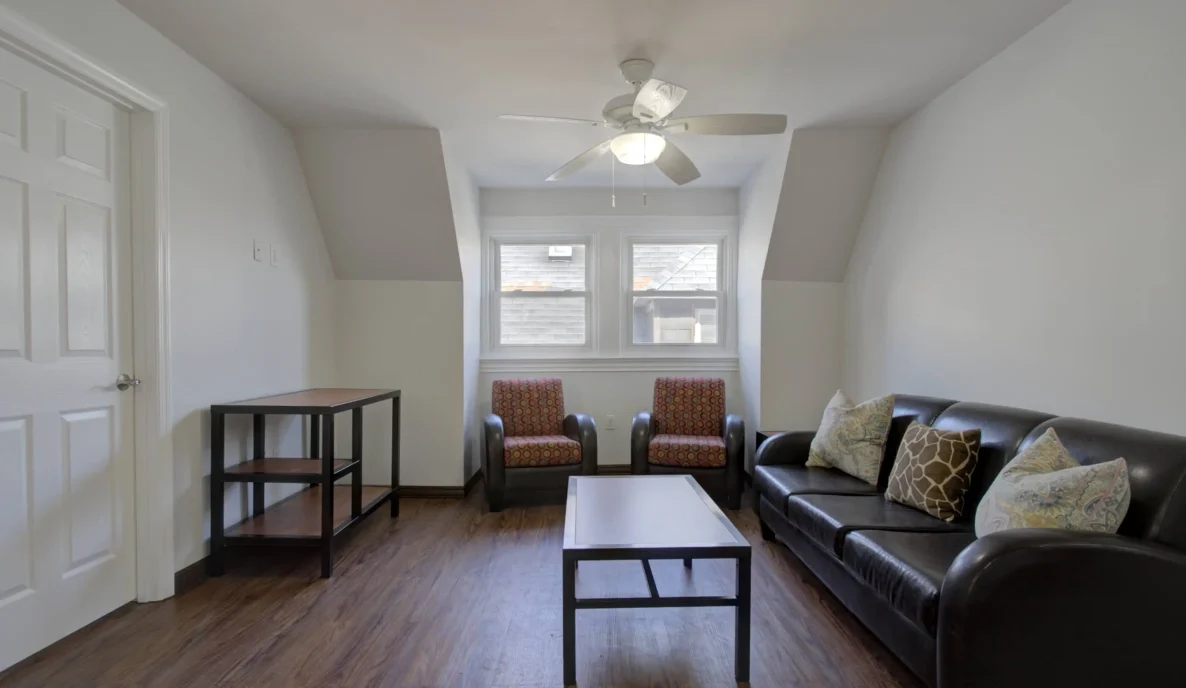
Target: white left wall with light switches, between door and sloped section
{"x":239,"y":328}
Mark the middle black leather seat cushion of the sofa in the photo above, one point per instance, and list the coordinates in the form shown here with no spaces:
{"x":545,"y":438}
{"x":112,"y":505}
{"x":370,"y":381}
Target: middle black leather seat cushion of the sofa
{"x":828,"y":519}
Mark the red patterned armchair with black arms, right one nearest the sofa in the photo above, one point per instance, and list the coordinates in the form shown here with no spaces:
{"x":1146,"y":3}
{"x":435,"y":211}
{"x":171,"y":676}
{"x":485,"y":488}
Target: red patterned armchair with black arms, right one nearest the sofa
{"x":691,"y":434}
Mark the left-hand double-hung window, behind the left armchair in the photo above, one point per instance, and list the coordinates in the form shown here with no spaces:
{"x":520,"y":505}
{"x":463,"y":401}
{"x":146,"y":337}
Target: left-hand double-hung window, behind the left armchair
{"x":541,"y":297}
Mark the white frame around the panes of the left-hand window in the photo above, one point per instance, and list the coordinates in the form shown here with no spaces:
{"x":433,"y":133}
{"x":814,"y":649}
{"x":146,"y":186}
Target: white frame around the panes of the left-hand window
{"x":493,"y":295}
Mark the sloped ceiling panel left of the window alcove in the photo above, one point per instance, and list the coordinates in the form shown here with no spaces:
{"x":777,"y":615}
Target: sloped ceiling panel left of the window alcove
{"x":382,"y":198}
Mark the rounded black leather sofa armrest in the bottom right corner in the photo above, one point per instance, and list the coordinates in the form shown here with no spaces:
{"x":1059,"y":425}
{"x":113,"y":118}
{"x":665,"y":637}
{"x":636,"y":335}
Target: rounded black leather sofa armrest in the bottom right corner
{"x":1056,"y":608}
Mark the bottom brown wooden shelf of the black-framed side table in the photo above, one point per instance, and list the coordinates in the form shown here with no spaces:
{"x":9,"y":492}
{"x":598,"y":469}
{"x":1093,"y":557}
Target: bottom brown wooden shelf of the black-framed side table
{"x":299,"y":518}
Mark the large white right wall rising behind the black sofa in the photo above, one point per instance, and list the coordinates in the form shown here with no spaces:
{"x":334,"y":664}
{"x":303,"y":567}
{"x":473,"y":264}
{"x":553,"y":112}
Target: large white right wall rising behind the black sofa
{"x":1024,"y":244}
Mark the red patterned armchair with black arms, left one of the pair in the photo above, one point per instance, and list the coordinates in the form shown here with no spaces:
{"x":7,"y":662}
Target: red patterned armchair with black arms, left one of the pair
{"x":530,"y":445}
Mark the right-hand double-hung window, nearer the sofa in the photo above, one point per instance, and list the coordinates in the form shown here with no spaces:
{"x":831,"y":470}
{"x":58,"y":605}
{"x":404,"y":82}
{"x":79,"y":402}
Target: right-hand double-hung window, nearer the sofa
{"x":677,"y":296}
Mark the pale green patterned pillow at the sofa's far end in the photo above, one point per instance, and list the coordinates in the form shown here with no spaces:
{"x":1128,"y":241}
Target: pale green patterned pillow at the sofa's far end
{"x":853,"y":437}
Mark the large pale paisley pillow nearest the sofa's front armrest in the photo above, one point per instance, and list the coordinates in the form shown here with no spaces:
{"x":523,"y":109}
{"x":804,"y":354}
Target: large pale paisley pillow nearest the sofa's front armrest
{"x":1044,"y":487}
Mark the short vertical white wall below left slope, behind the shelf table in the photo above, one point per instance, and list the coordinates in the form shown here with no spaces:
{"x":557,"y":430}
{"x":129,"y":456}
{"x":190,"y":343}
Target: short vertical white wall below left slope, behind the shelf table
{"x":407,"y":336}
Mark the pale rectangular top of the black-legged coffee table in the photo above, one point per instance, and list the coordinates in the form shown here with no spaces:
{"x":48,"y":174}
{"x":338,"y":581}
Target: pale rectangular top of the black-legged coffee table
{"x":614,"y":513}
